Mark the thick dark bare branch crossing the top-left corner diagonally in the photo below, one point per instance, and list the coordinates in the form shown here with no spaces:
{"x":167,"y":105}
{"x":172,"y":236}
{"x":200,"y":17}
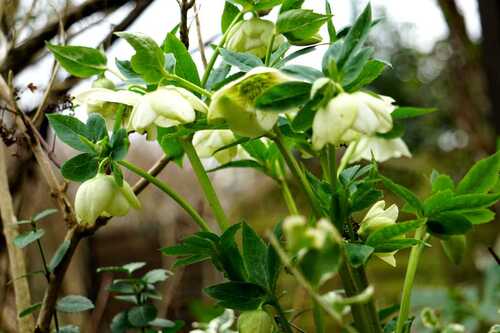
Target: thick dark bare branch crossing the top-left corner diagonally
{"x":21,"y":56}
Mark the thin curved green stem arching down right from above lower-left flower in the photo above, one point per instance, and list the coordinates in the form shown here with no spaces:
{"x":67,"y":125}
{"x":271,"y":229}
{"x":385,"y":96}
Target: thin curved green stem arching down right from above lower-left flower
{"x":169,"y":191}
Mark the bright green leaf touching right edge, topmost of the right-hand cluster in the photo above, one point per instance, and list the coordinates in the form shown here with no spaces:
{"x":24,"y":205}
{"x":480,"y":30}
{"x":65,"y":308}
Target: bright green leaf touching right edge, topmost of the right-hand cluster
{"x":482,"y":177}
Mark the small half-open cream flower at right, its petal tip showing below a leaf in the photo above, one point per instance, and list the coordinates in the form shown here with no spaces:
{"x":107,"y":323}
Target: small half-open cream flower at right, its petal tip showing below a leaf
{"x":376,"y":218}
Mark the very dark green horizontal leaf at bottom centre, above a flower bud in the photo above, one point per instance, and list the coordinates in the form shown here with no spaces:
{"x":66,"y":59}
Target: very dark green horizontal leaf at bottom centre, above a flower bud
{"x":237,"y":295}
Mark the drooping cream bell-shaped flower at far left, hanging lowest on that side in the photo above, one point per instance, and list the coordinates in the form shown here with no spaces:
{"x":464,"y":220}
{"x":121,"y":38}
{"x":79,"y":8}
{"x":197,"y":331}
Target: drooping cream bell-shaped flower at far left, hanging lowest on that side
{"x":102,"y":196}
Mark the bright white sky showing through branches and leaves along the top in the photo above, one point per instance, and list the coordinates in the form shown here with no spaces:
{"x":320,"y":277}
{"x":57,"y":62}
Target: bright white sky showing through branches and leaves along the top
{"x":423,"y":16}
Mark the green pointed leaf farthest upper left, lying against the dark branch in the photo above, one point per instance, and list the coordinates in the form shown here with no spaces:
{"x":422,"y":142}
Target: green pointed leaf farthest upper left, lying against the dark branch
{"x":79,"y":61}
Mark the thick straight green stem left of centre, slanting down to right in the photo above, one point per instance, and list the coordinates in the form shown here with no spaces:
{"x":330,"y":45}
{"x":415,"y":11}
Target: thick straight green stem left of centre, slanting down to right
{"x":206,"y":184}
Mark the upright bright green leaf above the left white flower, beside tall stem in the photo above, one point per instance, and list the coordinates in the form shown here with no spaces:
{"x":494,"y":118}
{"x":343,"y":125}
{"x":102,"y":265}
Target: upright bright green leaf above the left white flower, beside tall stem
{"x":185,"y":66}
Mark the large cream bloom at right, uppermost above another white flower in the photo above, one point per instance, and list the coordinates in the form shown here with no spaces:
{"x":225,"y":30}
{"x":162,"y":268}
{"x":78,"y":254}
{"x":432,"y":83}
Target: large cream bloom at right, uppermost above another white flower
{"x":347,"y":116}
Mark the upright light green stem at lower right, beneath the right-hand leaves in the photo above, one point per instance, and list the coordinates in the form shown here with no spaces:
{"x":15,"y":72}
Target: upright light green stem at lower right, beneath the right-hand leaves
{"x":416,"y":251}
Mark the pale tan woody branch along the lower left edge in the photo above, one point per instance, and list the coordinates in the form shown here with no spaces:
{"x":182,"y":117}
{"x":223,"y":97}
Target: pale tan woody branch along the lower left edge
{"x":16,"y":256}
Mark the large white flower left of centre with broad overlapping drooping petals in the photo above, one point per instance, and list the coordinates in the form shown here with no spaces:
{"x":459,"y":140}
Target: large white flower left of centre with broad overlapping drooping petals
{"x":166,"y":106}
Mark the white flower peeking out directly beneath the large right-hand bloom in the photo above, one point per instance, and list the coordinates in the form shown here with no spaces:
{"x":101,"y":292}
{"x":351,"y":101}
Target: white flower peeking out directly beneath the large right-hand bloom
{"x":381,"y":149}
